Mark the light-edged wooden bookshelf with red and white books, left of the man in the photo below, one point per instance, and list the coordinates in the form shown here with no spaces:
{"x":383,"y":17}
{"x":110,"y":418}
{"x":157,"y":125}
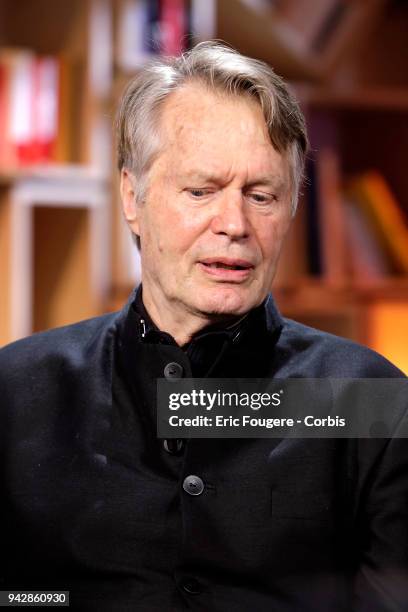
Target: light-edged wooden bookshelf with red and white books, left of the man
{"x":54,"y":206}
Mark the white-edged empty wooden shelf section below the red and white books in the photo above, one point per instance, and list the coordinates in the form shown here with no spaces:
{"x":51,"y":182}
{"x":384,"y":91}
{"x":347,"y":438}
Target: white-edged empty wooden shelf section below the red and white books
{"x":55,"y":260}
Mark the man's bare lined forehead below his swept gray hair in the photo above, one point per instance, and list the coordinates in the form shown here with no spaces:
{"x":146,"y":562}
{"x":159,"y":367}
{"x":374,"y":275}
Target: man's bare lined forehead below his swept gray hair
{"x":225,"y":129}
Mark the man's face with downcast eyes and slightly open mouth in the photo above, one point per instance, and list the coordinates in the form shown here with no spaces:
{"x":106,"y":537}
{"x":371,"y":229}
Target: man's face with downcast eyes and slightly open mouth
{"x":217,"y":208}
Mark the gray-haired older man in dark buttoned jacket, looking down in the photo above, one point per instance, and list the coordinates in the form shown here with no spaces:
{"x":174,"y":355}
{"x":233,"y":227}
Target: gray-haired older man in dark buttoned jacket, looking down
{"x":211,"y":150}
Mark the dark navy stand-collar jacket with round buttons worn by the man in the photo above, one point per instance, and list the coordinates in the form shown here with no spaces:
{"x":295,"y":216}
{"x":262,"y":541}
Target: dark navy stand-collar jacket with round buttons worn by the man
{"x":93,"y":502}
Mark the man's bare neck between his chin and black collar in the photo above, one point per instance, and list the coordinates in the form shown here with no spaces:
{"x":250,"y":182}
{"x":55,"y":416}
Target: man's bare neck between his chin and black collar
{"x":182,"y":325}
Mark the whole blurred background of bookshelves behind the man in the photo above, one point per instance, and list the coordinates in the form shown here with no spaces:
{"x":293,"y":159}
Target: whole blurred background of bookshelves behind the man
{"x":65,"y":252}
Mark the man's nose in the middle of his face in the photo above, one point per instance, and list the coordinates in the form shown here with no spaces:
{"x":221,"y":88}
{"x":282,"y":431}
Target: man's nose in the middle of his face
{"x":230,"y":217}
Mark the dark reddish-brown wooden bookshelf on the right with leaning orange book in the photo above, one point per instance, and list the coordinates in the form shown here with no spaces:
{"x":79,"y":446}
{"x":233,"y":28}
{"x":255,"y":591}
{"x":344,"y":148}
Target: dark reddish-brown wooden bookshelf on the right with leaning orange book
{"x":357,"y":120}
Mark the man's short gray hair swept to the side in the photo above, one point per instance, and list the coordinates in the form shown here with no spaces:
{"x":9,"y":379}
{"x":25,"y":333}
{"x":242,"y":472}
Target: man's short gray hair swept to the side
{"x":221,"y":69}
